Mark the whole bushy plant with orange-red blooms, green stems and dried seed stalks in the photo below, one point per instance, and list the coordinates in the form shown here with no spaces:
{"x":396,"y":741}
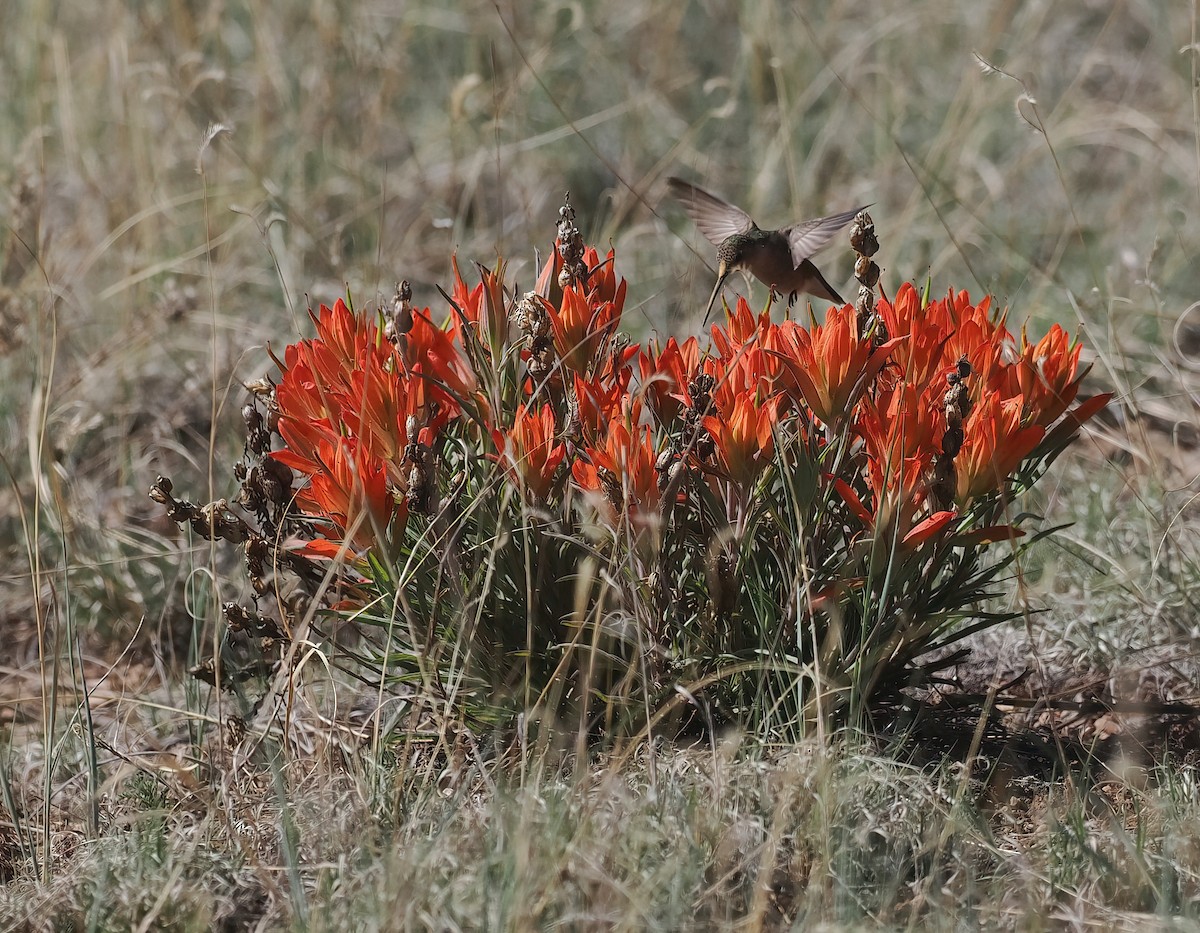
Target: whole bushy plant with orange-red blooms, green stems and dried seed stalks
{"x":524,"y":516}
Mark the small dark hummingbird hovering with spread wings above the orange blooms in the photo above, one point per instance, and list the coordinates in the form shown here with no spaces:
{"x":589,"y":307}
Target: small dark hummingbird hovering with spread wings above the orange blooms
{"x":777,"y":258}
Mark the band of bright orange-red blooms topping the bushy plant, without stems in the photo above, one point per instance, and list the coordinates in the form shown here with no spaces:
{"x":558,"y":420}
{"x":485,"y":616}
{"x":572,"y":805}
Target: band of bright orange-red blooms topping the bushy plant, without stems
{"x":614,"y":419}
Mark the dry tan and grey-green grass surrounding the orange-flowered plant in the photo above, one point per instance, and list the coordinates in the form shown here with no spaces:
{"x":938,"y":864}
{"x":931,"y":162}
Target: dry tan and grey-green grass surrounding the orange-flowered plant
{"x":146,"y":261}
